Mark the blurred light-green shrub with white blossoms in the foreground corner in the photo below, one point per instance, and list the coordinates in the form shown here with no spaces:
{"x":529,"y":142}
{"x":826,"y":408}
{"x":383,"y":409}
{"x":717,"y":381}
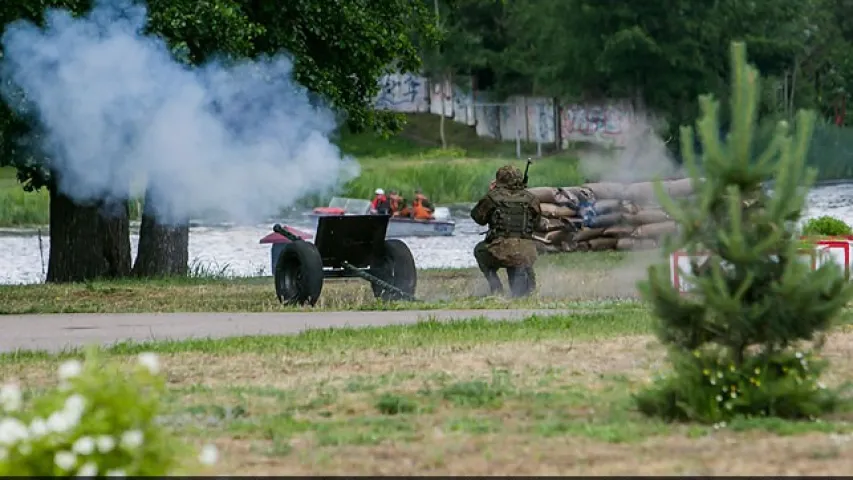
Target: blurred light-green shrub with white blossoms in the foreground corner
{"x":99,"y":421}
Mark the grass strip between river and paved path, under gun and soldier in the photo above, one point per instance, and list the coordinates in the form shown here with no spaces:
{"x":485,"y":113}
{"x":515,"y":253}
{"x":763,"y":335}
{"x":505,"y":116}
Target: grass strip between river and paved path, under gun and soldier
{"x":564,"y":280}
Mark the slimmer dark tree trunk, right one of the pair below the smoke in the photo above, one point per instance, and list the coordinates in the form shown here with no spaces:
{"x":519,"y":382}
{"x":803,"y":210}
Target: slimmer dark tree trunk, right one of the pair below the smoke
{"x":163,"y":248}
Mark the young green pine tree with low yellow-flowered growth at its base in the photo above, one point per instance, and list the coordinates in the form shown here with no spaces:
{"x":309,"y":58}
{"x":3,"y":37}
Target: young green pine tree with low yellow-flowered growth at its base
{"x":754,"y":296}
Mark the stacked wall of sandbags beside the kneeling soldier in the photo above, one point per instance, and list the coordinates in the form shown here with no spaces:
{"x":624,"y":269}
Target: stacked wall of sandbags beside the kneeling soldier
{"x":605,"y":216}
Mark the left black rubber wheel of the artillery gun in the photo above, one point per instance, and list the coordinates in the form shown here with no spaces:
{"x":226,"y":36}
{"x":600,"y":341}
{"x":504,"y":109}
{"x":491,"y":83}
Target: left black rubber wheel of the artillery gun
{"x":299,"y":274}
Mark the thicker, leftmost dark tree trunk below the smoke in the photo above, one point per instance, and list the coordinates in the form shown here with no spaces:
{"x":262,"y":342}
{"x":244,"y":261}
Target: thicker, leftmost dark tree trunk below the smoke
{"x":87,"y":242}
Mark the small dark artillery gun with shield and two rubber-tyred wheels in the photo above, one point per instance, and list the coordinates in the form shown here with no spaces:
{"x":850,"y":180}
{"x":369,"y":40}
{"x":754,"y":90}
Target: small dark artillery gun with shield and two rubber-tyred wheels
{"x":345,"y":246}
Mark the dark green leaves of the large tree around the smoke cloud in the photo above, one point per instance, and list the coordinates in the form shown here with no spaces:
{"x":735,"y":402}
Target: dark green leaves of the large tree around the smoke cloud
{"x":339,"y":52}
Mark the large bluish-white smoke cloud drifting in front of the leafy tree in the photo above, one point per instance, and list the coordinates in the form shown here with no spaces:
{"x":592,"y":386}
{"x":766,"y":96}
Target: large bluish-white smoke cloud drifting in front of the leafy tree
{"x":115,"y":106}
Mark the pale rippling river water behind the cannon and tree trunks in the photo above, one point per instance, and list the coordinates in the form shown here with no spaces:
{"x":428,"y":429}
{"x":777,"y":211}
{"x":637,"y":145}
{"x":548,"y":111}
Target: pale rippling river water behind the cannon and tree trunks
{"x":237,"y":251}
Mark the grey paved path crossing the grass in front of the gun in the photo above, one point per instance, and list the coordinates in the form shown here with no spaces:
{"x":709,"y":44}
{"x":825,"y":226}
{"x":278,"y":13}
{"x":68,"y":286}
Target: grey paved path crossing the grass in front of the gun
{"x":55,"y":332}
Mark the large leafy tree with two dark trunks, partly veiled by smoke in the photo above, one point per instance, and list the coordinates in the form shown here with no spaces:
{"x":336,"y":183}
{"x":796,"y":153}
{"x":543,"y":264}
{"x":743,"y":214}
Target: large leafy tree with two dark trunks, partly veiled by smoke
{"x":340,"y":50}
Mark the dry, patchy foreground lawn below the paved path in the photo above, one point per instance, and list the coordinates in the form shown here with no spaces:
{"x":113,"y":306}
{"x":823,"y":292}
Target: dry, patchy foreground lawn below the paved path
{"x":543,"y":396}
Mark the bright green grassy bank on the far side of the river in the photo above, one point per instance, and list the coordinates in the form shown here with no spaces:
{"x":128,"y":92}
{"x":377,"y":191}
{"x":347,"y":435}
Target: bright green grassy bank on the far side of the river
{"x":406,"y":161}
